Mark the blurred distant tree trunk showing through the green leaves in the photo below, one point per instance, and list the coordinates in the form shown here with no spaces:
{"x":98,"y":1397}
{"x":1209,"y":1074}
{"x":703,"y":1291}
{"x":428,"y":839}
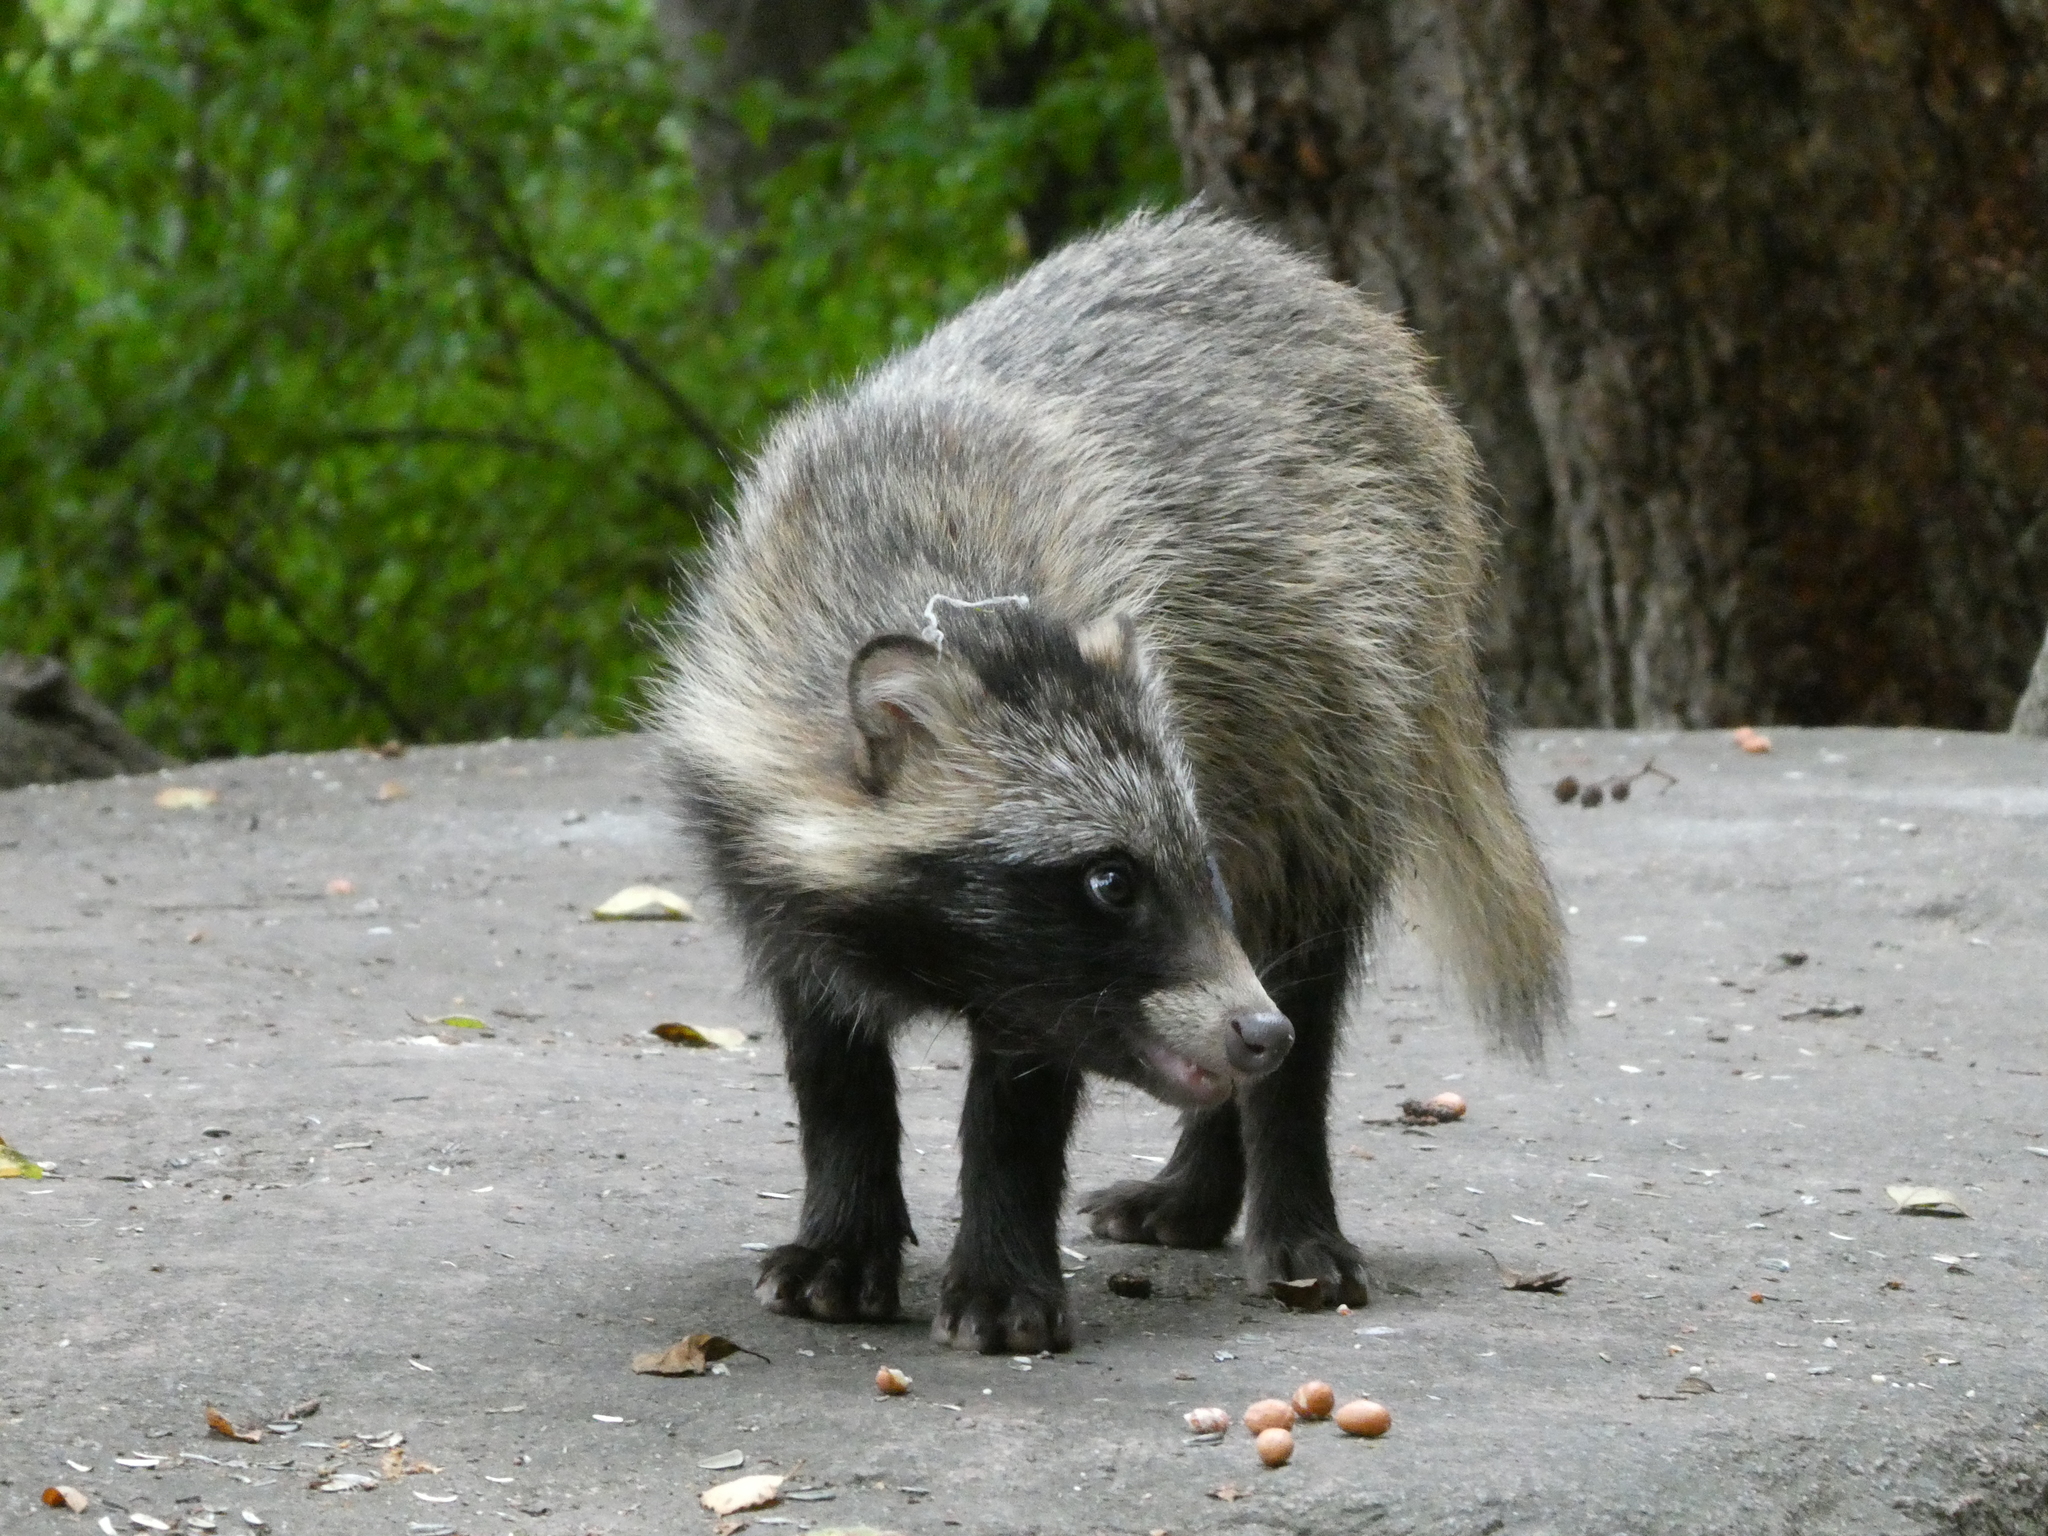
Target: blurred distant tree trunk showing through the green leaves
{"x":720,"y":46}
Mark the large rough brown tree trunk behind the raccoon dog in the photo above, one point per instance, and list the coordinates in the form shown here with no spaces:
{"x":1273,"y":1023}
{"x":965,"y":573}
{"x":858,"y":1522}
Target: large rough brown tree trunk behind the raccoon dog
{"x":1746,"y":308}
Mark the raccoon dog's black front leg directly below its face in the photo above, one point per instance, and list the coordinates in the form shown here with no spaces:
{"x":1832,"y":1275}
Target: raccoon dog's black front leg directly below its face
{"x":1002,"y":1291}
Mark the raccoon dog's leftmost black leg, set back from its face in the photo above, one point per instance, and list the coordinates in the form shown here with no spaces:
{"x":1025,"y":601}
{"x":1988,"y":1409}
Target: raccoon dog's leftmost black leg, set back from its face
{"x":849,"y":1252}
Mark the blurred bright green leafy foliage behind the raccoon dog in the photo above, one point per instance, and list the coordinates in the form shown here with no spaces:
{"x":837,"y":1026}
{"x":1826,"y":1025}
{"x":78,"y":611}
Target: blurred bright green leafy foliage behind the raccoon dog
{"x":366,"y":366}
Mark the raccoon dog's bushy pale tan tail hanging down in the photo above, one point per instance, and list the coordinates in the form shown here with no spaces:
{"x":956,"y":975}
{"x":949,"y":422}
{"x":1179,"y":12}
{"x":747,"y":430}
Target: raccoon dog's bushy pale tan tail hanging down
{"x":1484,"y":898}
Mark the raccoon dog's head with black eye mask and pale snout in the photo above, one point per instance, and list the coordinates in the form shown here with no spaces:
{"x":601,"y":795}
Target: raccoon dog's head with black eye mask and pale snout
{"x":1043,"y":865}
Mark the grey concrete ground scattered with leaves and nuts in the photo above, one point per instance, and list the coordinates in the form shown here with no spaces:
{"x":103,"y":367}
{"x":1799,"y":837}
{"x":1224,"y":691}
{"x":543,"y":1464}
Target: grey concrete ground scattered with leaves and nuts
{"x":273,"y":1183}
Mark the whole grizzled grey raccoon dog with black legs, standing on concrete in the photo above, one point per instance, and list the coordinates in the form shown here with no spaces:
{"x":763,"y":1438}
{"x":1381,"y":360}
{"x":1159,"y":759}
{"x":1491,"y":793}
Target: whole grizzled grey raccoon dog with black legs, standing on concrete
{"x":1095,"y":673}
